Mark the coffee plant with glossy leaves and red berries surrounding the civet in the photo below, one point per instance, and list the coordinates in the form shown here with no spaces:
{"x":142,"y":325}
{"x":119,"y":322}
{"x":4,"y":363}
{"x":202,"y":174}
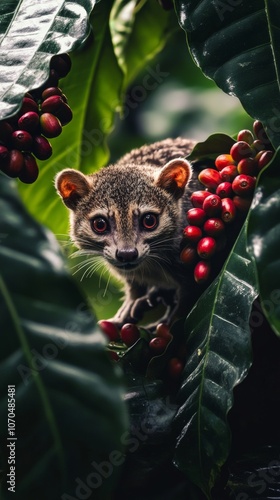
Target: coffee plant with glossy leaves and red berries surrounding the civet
{"x":187,"y":411}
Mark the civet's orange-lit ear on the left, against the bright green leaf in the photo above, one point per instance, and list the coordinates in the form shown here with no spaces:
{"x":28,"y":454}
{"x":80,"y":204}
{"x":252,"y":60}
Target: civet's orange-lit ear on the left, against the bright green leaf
{"x":71,"y":185}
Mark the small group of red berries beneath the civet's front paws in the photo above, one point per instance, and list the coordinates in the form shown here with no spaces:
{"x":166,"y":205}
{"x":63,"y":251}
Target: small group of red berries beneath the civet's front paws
{"x":130,"y":333}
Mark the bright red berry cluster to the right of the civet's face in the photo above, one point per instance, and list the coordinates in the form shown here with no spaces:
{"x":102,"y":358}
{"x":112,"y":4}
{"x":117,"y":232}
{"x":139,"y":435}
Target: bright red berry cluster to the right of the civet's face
{"x":229,"y":192}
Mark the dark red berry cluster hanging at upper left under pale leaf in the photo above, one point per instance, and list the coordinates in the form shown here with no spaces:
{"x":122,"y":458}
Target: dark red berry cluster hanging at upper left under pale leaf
{"x":43,"y":113}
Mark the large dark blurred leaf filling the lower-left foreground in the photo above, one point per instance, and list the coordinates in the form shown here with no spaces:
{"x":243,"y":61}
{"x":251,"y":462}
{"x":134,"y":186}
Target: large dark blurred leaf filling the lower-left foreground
{"x":69,"y":410}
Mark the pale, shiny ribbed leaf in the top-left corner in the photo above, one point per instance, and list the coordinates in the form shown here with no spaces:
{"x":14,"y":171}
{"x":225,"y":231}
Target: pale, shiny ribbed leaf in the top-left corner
{"x":30,"y":34}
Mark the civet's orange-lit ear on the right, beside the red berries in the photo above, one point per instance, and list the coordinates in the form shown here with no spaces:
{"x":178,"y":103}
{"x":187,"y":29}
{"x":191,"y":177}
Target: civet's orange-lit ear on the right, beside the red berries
{"x":174,"y":176}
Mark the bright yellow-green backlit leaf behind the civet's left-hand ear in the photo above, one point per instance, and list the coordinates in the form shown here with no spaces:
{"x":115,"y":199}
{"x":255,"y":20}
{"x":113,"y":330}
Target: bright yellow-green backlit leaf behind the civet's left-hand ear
{"x":93,"y":88}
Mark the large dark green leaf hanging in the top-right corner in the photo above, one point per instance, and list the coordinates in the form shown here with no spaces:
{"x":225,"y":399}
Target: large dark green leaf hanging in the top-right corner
{"x":237,"y":45}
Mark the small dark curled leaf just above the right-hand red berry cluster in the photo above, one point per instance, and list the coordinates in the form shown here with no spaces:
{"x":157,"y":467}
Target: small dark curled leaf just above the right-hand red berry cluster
{"x":213,"y":146}
